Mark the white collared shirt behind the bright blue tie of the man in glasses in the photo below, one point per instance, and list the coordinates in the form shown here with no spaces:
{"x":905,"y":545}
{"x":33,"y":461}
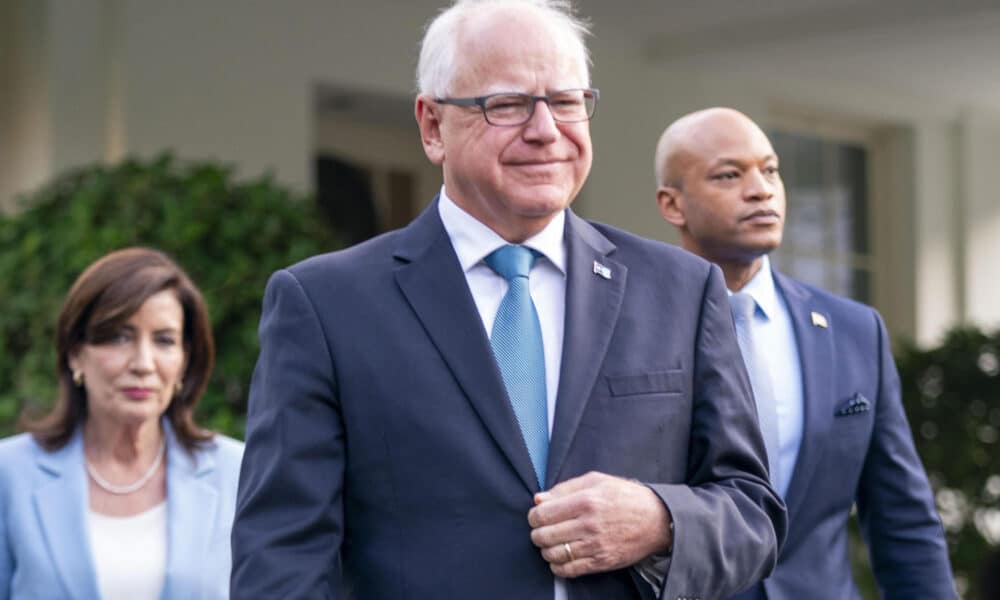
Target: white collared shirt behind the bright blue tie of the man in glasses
{"x":473,"y":241}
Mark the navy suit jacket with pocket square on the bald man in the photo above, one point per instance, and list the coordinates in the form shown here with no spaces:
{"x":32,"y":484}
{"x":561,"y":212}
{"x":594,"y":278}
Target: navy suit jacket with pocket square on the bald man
{"x":856,"y":448}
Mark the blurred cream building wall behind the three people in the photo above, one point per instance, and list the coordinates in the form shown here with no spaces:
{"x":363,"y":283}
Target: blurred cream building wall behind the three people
{"x":235,"y":80}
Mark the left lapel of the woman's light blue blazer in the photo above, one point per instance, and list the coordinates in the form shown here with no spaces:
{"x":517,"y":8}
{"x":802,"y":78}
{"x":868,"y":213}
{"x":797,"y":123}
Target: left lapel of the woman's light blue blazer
{"x":61,"y":507}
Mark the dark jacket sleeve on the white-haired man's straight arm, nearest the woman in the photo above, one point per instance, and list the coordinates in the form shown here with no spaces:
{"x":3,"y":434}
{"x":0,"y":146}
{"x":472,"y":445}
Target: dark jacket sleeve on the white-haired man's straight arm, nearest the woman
{"x":289,"y":522}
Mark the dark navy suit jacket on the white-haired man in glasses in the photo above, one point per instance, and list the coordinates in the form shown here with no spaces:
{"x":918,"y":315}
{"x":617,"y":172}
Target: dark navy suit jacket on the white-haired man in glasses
{"x":384,"y":460}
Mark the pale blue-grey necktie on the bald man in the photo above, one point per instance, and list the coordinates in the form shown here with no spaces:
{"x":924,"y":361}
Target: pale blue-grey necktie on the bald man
{"x":744,"y":306}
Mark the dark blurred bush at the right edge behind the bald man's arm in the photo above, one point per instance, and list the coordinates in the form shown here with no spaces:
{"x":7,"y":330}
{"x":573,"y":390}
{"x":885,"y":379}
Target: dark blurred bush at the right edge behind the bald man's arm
{"x":952,"y":397}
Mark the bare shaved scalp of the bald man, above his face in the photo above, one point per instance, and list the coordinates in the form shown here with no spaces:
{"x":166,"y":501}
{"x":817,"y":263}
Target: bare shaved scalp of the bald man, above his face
{"x":691,"y":136}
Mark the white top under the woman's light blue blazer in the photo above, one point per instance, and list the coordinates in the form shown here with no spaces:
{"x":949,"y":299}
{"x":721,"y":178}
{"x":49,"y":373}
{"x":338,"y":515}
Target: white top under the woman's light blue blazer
{"x":130,"y":553}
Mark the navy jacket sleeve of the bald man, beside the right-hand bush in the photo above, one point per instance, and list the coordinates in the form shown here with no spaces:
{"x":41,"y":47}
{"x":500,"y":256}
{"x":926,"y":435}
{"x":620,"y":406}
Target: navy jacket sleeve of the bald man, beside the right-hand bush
{"x":895,"y":502}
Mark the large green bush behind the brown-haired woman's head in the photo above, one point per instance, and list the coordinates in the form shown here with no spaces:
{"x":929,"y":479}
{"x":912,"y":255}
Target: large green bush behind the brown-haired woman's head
{"x":228,"y":235}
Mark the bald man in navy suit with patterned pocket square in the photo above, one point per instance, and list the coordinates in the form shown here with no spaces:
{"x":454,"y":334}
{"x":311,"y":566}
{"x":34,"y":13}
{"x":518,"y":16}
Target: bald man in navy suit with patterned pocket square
{"x":831,"y":387}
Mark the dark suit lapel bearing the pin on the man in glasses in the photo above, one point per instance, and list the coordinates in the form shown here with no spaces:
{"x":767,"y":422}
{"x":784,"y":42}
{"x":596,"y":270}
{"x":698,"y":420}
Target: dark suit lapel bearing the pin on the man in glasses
{"x":592,"y":305}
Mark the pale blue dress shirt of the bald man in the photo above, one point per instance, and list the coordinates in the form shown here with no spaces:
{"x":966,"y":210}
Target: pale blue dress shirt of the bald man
{"x":773,"y":329}
